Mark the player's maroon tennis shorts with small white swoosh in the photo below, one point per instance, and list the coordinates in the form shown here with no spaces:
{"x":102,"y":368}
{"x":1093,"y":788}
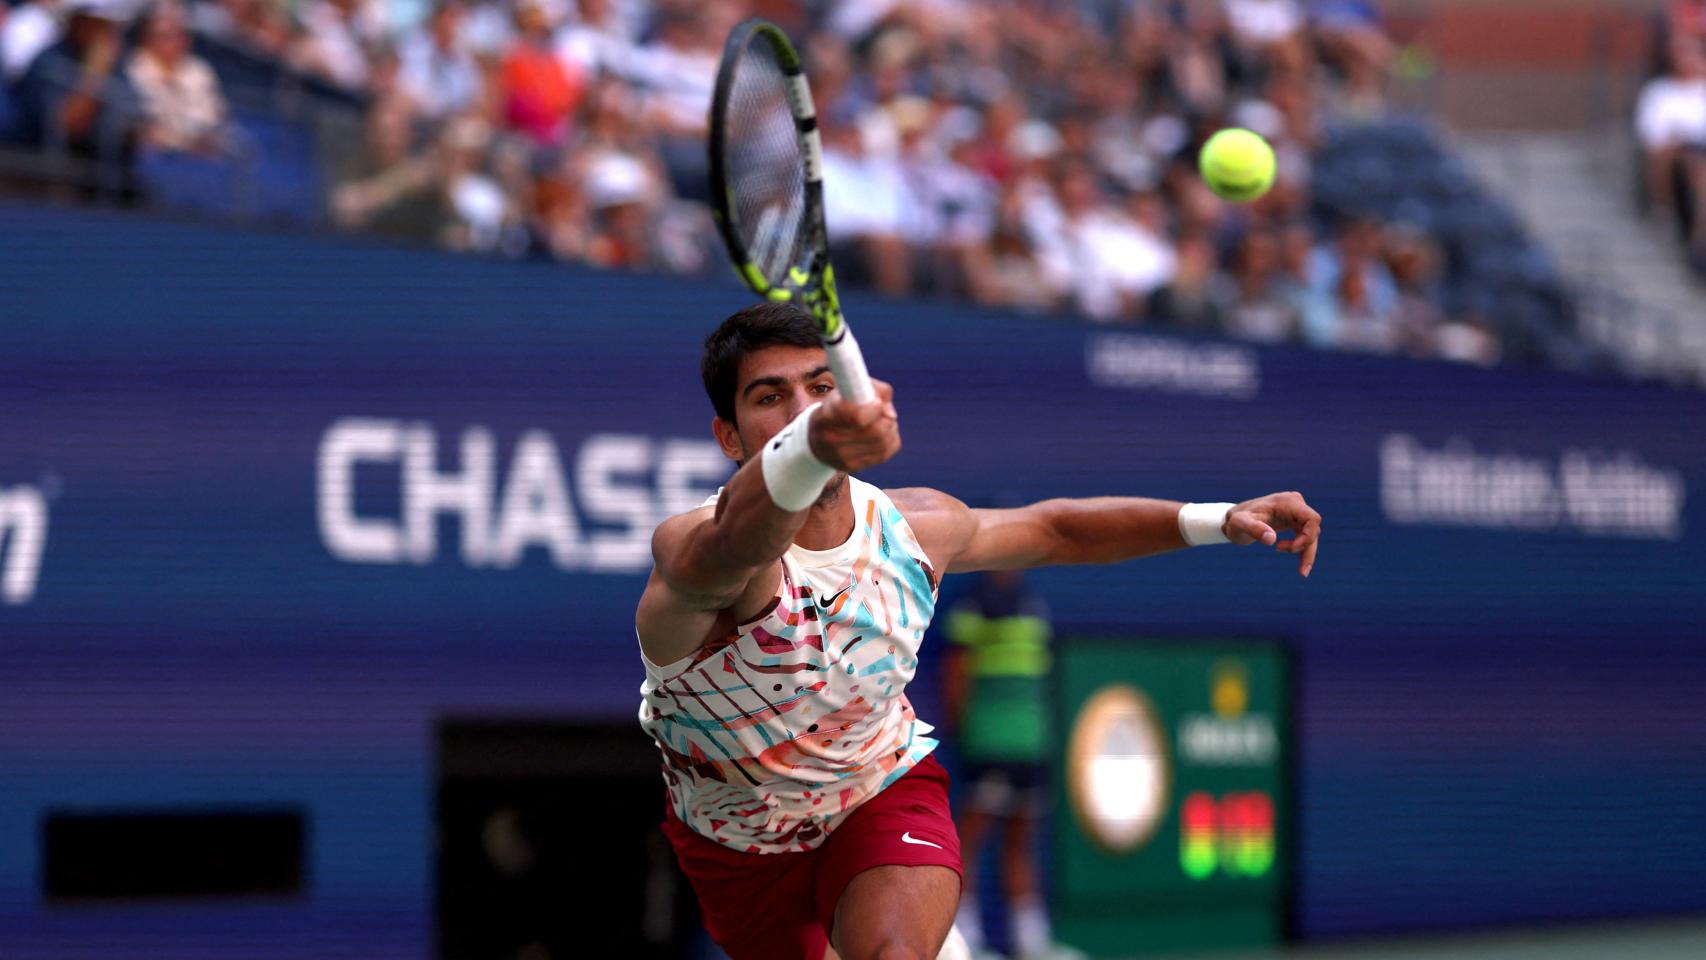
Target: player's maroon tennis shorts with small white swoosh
{"x":780,"y":906}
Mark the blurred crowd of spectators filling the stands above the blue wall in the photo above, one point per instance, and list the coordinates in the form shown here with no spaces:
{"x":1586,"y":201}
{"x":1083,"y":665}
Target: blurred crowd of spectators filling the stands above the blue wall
{"x":1030,"y":154}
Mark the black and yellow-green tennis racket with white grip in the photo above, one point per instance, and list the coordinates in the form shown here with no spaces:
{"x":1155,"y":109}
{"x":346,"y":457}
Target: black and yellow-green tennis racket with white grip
{"x":769,"y":188}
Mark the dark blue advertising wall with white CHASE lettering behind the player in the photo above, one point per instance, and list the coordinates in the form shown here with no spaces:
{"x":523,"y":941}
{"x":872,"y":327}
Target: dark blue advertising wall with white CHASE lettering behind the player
{"x":272,"y":506}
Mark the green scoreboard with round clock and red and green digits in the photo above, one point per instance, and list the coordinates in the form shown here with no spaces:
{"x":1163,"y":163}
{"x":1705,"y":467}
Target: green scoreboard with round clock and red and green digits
{"x":1171,"y":824}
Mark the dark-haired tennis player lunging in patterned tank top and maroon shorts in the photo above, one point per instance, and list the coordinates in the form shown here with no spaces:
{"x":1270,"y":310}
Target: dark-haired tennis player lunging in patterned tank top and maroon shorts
{"x":780,"y":630}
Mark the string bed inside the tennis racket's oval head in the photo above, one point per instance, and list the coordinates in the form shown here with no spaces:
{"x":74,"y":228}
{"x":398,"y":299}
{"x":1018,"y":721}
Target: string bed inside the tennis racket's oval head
{"x":763,"y":165}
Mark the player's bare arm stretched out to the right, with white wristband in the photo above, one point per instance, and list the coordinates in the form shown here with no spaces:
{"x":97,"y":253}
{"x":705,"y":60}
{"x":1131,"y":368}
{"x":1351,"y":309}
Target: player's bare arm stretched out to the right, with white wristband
{"x":1106,"y":529}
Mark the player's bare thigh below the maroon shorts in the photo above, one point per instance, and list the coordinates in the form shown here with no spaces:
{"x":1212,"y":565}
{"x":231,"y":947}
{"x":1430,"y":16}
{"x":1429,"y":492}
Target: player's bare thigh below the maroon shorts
{"x":897,"y":911}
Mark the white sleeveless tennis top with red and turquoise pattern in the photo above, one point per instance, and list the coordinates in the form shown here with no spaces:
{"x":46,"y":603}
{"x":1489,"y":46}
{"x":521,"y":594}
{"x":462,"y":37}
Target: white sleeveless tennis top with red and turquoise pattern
{"x":777,"y":732}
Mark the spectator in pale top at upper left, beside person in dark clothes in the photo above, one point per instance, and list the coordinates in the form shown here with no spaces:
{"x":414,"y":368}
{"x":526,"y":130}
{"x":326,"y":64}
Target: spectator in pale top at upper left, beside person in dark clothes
{"x":180,"y":93}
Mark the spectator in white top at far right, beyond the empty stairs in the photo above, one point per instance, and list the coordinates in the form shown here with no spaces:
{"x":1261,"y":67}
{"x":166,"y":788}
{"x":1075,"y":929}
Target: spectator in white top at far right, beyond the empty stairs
{"x":1671,"y":125}
